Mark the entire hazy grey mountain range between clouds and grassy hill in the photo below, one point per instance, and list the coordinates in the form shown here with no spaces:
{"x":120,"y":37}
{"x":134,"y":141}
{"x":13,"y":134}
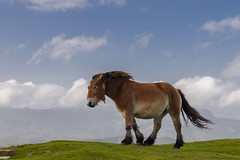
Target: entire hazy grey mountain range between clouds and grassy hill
{"x":23,"y":126}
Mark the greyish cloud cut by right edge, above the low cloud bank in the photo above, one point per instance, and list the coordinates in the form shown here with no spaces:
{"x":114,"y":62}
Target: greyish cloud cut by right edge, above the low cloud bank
{"x":232,"y":70}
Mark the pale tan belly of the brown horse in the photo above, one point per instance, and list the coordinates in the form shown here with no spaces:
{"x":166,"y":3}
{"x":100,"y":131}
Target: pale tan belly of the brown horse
{"x":149,"y":111}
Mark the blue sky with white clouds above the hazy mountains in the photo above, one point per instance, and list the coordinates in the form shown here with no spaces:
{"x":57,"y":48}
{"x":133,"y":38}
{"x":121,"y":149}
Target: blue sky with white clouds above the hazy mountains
{"x":50,"y":49}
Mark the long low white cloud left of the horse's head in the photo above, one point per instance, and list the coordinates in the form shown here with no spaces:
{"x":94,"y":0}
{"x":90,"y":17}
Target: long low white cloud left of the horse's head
{"x":43,"y":96}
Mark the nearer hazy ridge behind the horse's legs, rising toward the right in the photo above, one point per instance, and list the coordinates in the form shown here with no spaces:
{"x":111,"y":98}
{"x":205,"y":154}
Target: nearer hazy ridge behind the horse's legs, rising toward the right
{"x":221,"y":129}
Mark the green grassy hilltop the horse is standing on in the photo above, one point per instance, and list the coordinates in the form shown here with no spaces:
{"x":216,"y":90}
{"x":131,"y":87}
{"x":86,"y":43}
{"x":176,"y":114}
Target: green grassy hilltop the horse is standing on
{"x":75,"y":150}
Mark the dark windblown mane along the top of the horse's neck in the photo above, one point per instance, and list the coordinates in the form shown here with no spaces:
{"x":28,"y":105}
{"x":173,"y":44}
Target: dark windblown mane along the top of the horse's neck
{"x":114,"y":75}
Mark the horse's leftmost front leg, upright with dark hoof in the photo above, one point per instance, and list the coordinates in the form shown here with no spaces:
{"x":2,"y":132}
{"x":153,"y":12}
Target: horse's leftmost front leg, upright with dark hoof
{"x":128,"y":126}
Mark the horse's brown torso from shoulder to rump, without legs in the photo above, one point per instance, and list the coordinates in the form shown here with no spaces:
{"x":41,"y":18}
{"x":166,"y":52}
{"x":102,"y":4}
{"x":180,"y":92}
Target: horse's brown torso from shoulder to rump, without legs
{"x":150,"y":97}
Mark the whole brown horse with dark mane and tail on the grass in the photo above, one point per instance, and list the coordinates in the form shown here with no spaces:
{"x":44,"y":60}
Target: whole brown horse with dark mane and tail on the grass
{"x":145,"y":101}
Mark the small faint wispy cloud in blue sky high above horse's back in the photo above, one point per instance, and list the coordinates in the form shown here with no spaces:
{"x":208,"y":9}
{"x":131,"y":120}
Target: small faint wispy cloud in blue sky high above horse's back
{"x":141,"y":40}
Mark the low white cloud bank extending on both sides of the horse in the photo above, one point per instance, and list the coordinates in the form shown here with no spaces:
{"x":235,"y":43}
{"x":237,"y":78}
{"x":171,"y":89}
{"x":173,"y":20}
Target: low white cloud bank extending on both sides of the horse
{"x":202,"y":92}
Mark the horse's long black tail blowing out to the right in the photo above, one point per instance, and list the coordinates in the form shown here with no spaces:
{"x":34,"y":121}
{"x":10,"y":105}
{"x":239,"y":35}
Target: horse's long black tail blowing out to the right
{"x":192,"y":114}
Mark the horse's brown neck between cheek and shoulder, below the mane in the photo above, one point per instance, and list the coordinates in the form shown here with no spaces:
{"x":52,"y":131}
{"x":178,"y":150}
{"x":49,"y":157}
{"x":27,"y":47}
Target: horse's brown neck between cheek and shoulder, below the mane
{"x":112,"y":88}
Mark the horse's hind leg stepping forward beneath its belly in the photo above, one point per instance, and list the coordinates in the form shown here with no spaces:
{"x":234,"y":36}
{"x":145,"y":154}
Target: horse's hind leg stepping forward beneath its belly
{"x":156,"y":127}
